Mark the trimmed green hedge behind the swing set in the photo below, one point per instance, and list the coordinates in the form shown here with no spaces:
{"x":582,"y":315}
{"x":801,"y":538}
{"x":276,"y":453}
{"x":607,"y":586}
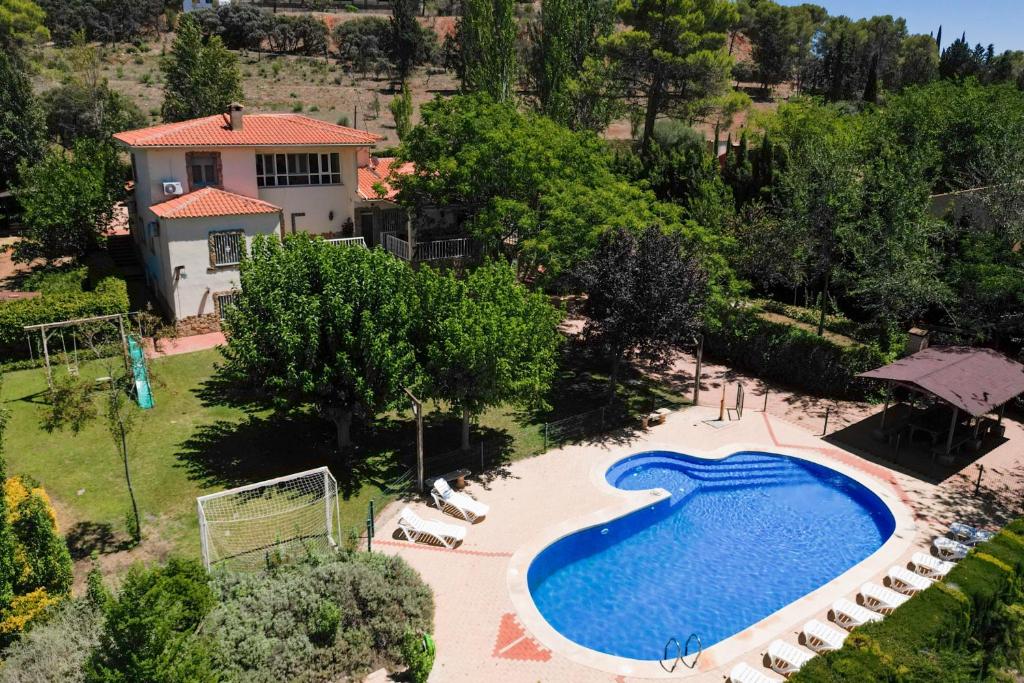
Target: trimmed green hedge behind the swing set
{"x":108,"y":297}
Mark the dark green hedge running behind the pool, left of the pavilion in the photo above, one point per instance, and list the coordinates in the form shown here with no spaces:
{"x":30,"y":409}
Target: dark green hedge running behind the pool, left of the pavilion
{"x":790,"y":355}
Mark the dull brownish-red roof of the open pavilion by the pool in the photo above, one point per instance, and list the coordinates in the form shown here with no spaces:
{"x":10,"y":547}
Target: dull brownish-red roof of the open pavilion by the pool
{"x":975,"y":380}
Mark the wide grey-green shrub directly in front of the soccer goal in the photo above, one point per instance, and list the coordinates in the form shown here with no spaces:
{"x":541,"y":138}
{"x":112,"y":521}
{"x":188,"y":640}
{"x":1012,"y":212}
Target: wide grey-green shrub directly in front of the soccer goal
{"x":264,"y":625}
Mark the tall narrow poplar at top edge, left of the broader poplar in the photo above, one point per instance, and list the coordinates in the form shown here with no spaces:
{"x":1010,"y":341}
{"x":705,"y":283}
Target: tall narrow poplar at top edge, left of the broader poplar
{"x":487,"y":38}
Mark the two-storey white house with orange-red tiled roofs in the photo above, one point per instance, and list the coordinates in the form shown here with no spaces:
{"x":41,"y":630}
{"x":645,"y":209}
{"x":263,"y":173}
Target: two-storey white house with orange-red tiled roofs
{"x":205,"y":188}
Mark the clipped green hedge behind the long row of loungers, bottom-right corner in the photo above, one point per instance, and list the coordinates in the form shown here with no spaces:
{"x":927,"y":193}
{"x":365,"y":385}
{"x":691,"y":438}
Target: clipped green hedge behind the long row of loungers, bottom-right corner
{"x":962,"y":629}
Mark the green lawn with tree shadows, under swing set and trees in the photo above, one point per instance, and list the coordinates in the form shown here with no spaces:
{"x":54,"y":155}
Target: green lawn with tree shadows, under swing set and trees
{"x":198,"y":440}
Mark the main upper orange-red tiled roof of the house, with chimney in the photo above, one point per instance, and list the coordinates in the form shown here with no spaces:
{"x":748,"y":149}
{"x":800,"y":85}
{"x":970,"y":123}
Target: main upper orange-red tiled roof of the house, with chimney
{"x":258,"y":131}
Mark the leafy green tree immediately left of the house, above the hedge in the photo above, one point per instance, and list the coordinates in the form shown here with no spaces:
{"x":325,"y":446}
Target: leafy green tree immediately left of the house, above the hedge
{"x":68,"y":200}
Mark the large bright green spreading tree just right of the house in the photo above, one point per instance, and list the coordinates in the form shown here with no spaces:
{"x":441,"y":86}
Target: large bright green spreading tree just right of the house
{"x":527,"y":188}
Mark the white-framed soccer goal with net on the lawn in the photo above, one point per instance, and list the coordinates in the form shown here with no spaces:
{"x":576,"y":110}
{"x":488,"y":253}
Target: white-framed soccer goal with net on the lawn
{"x":271,"y":523}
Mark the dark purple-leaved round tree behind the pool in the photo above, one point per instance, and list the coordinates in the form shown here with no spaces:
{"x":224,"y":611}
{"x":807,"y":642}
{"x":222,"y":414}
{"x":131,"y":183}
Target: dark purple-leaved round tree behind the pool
{"x":647,"y":295}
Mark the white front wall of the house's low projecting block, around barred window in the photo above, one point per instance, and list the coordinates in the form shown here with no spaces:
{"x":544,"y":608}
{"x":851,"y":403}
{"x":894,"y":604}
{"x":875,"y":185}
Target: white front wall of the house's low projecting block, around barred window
{"x":188,"y":245}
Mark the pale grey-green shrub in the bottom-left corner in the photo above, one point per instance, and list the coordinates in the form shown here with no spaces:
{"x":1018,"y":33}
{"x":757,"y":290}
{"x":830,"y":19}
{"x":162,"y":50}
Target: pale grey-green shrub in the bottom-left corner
{"x":56,"y":650}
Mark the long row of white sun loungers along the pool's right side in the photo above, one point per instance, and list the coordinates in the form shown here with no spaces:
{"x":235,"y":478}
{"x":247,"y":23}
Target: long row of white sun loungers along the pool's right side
{"x":878,"y":602}
